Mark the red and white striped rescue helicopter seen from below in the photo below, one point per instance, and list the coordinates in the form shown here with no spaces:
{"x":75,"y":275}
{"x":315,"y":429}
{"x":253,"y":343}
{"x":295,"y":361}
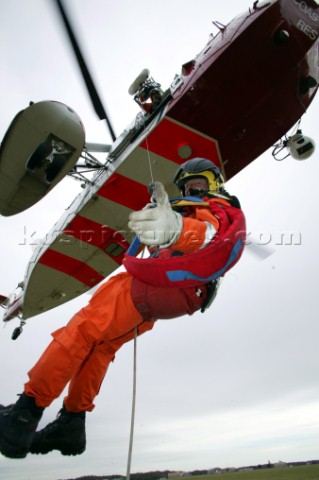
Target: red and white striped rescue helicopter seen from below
{"x":173,"y":125}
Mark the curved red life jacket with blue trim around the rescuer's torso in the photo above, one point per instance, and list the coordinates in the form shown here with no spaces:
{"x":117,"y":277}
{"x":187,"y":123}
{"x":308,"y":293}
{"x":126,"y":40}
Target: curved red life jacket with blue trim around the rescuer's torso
{"x":202,"y":266}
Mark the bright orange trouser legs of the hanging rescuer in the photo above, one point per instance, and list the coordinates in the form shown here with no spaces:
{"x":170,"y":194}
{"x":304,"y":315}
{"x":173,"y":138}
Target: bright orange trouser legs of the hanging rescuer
{"x":81,"y":352}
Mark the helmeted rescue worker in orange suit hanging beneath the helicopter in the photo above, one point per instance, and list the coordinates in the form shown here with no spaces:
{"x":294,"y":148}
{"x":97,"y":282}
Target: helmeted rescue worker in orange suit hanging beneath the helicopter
{"x":81,"y":352}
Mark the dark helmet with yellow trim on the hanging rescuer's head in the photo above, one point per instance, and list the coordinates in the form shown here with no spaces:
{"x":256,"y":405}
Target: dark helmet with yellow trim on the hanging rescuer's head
{"x":199,"y":167}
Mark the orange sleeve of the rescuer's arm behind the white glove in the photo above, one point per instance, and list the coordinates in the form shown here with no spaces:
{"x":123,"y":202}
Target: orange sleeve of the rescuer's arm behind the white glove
{"x":193,"y":232}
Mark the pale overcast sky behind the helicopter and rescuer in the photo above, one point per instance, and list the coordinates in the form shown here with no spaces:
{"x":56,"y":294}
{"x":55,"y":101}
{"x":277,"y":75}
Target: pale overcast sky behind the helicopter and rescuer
{"x":235,"y":386}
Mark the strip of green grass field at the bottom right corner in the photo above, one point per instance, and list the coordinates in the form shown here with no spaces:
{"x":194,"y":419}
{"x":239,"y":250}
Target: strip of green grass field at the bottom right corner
{"x":308,"y":472}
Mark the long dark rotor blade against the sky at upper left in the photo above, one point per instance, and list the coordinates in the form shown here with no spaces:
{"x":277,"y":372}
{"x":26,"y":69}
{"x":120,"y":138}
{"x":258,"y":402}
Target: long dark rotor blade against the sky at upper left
{"x":95,"y":98}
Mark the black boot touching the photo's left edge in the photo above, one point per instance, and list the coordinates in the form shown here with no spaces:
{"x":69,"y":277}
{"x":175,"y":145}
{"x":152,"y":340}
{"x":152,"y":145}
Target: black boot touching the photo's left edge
{"x":18,"y":423}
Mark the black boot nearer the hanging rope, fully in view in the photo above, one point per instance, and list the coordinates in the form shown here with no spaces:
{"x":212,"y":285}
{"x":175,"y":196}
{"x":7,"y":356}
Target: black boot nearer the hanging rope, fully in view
{"x":66,"y":433}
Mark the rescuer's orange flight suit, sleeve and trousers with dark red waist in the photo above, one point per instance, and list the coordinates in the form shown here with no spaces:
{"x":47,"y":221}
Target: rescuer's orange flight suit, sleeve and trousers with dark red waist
{"x":81,"y":352}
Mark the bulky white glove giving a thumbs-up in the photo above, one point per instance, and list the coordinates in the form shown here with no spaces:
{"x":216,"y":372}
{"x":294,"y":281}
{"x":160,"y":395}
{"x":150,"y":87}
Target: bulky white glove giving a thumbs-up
{"x":157,"y":224}
